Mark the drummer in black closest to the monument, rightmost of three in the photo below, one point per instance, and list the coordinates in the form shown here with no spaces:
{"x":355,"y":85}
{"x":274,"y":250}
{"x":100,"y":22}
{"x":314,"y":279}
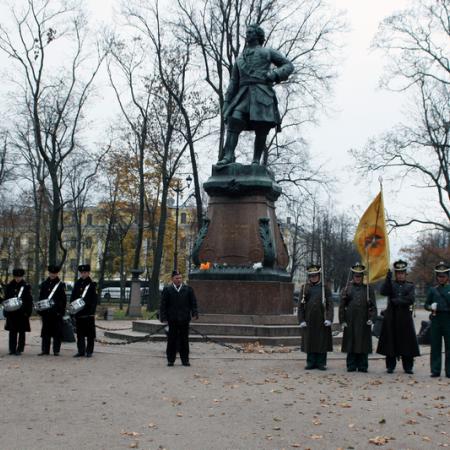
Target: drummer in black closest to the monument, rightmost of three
{"x":85,"y":319}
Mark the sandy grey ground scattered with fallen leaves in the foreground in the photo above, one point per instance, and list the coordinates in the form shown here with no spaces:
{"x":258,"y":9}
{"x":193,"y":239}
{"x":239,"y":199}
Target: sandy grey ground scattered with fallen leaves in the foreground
{"x":126,"y":397}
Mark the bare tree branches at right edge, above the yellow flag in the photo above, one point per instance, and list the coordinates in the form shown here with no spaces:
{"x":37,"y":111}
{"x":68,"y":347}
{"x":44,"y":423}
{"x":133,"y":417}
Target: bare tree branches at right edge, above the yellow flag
{"x":416,"y":44}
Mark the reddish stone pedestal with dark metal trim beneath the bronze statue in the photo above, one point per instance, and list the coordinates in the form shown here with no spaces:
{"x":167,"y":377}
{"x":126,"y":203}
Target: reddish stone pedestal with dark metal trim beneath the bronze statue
{"x":242,"y":246}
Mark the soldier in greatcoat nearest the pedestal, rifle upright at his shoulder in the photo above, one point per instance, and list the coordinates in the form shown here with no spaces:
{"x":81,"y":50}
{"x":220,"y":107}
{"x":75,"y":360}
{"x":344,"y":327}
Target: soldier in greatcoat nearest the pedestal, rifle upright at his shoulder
{"x":315,"y":315}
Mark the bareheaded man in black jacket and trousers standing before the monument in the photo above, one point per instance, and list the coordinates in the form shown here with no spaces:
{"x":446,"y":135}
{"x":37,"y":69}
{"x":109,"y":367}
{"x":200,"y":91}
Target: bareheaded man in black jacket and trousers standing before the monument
{"x":178,"y":306}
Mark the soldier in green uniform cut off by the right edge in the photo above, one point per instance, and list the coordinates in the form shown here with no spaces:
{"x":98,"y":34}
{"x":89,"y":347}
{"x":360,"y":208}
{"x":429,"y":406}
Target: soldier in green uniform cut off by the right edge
{"x":438,"y":302}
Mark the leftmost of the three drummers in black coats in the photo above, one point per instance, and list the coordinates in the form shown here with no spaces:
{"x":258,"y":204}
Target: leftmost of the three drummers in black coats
{"x":18,"y":321}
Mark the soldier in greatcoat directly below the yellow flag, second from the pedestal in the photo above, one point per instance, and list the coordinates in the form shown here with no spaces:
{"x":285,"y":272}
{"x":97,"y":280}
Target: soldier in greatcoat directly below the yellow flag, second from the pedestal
{"x":357,"y":310}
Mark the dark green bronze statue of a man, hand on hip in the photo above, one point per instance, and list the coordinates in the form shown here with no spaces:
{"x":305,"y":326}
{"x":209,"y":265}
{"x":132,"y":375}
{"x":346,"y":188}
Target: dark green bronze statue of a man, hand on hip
{"x":250,"y":101}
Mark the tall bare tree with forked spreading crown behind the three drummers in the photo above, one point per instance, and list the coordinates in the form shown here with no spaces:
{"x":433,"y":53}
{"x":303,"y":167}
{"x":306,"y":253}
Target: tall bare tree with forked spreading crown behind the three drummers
{"x":56,"y":96}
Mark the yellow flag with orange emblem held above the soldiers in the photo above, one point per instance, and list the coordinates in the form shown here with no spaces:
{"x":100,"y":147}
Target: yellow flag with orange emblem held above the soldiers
{"x":371,"y":240}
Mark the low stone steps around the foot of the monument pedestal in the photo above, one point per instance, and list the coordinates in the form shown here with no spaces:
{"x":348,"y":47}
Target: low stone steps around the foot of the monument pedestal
{"x":273,"y":330}
